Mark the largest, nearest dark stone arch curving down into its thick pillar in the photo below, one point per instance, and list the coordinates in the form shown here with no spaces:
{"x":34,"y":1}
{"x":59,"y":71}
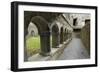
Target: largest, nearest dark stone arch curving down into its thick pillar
{"x":44,"y":33}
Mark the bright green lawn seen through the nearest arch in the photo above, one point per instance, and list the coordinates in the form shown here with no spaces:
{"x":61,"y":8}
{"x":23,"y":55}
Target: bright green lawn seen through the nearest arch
{"x":33,"y":45}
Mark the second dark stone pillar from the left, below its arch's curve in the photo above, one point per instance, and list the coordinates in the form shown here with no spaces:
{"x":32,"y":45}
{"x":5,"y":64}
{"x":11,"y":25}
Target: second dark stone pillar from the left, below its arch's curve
{"x":55,"y":40}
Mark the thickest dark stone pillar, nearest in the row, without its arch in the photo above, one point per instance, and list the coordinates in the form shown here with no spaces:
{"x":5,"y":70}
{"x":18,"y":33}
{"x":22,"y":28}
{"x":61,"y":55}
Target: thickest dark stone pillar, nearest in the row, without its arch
{"x":45,"y":43}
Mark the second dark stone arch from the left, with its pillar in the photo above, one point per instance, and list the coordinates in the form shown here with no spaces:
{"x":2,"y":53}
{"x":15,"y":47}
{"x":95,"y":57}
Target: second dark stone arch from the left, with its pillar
{"x":55,"y":36}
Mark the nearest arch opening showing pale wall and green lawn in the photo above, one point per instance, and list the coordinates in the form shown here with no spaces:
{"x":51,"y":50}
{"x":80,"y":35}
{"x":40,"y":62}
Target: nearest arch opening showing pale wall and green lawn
{"x":32,"y":40}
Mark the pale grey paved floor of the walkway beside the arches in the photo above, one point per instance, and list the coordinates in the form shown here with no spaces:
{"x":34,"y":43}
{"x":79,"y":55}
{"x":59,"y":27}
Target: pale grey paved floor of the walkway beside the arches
{"x":74,"y":50}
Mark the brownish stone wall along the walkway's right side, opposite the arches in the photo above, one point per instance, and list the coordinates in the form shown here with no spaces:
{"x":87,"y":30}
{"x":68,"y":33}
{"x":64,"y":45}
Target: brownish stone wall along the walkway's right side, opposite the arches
{"x":85,"y":35}
